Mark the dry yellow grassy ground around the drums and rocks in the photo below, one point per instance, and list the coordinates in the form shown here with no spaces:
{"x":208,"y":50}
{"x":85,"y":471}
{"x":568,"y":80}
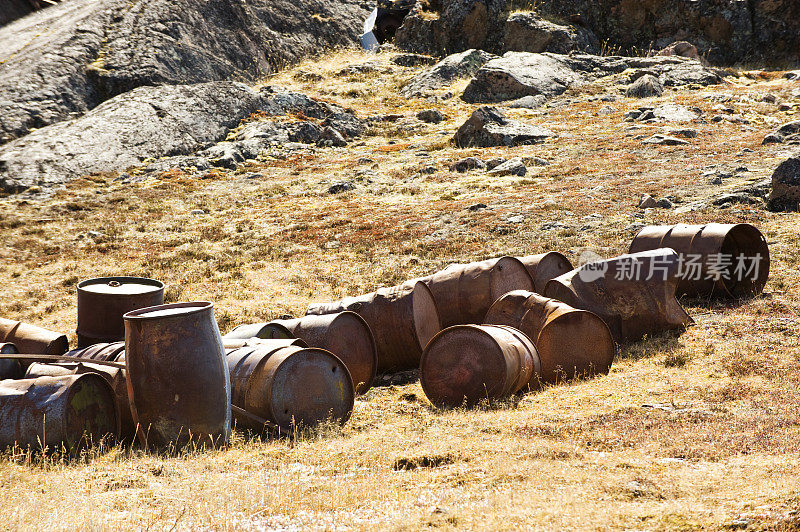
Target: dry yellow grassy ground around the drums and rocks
{"x":696,"y":431}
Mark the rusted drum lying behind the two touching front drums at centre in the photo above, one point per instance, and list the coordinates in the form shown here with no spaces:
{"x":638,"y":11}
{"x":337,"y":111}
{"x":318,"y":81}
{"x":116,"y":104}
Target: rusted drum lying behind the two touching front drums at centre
{"x":464,"y":292}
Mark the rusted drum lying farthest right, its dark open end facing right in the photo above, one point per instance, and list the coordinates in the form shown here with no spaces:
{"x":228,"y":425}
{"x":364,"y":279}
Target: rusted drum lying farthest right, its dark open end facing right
{"x":722,"y":260}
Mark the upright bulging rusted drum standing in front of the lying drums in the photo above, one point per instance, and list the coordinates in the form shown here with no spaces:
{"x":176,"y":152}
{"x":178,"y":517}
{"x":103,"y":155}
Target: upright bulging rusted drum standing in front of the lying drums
{"x":178,"y":380}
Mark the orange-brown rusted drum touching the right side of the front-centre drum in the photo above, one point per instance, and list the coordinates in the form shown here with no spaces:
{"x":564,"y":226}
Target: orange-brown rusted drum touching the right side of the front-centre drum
{"x":572,"y":343}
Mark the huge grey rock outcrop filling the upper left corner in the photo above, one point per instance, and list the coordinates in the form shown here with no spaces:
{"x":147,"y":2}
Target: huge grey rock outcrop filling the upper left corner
{"x":67,"y":59}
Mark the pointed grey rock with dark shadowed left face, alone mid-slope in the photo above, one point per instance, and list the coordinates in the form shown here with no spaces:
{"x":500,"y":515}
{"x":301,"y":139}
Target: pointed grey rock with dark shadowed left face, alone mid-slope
{"x":489,"y":127}
